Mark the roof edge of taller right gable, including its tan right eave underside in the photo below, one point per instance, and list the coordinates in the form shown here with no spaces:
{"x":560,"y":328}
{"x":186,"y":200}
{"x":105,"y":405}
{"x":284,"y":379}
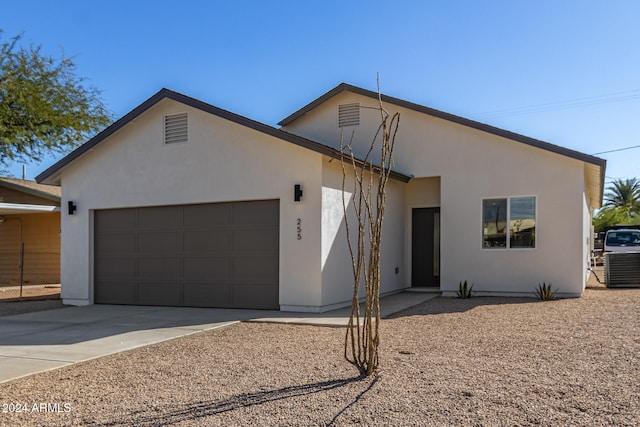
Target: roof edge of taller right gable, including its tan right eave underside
{"x":594,"y":166}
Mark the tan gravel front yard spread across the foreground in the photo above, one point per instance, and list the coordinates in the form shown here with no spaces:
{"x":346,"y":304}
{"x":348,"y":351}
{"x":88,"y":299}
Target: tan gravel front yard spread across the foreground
{"x":482,"y":361}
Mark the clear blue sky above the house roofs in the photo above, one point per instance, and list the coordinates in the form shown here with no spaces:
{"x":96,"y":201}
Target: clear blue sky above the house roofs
{"x":575,"y":62}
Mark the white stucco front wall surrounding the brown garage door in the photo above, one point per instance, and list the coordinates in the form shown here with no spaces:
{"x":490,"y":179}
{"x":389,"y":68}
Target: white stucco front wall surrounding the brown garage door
{"x":222,"y":162}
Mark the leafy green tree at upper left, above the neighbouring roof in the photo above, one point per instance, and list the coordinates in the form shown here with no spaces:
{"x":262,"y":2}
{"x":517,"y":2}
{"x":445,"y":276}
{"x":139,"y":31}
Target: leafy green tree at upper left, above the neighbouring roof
{"x":44,"y":107}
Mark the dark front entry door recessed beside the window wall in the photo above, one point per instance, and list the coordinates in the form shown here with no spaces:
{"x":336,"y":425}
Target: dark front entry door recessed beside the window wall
{"x":425,"y":247}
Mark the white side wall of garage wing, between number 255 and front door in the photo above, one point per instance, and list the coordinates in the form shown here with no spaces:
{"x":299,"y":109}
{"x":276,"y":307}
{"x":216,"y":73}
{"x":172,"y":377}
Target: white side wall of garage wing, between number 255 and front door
{"x":337,"y":276}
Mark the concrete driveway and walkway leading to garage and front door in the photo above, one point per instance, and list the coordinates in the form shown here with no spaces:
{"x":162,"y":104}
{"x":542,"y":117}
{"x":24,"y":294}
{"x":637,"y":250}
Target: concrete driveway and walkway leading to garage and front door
{"x":45,"y":340}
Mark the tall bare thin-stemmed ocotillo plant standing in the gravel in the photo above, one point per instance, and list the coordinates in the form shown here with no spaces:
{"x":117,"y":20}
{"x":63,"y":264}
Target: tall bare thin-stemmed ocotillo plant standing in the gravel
{"x":362,"y":338}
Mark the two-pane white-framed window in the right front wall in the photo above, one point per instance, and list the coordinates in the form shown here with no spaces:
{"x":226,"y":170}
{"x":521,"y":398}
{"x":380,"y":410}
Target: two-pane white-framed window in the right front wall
{"x":509,"y":222}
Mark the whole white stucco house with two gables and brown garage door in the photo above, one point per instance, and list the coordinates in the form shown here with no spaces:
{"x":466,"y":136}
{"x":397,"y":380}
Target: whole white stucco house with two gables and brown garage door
{"x":182,"y":203}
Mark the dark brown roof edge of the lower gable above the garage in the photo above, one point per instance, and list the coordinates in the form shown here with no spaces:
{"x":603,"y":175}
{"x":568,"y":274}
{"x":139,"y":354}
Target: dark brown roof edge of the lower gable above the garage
{"x":52,"y":174}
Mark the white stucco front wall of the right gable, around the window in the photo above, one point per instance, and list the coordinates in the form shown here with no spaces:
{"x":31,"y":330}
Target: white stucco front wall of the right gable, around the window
{"x":473,"y":165}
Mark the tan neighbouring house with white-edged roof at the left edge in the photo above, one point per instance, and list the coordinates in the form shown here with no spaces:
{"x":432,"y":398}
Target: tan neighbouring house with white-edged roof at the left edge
{"x":29,"y":215}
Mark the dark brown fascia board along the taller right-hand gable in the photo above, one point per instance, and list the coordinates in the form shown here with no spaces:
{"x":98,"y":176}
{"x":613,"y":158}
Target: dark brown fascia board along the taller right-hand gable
{"x":445,"y":116}
